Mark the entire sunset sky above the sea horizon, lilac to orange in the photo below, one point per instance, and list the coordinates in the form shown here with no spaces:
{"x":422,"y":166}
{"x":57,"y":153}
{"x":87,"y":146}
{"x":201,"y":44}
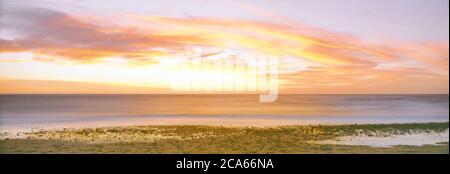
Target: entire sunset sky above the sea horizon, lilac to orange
{"x":322,"y":46}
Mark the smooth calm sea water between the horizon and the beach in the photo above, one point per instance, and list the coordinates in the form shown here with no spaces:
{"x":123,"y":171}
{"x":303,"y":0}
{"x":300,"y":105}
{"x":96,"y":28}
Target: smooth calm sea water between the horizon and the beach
{"x":288,"y":109}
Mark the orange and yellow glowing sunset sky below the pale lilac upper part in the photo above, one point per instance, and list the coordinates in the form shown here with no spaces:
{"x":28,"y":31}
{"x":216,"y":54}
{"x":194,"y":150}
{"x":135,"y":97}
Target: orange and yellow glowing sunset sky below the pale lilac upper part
{"x":50,"y":51}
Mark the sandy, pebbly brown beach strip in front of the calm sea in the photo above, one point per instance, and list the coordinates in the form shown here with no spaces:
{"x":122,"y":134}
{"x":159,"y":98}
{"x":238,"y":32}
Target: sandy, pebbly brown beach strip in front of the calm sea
{"x":370,"y":138}
